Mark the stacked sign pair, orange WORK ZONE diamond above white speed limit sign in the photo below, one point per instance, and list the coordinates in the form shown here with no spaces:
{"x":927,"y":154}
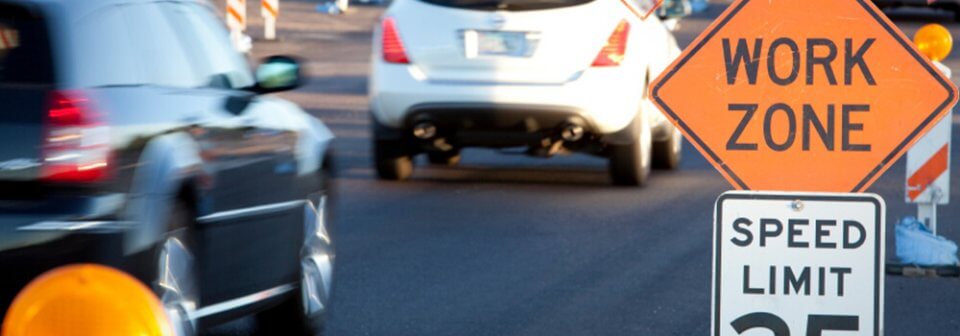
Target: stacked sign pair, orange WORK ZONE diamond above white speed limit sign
{"x":818,"y":97}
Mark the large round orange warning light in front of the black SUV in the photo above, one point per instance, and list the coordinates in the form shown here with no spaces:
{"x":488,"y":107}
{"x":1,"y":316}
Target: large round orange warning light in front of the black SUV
{"x":86,"y":300}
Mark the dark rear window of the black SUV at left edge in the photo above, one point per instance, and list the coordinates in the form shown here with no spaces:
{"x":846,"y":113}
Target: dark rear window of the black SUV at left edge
{"x":25,"y":55}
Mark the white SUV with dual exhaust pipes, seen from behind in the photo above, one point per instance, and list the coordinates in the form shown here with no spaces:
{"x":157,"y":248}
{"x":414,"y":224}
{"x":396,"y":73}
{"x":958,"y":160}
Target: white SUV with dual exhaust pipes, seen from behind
{"x":549,"y":75}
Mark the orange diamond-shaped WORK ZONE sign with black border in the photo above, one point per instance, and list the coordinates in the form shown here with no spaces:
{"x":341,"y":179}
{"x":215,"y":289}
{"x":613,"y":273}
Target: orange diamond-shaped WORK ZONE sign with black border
{"x":815,"y":95}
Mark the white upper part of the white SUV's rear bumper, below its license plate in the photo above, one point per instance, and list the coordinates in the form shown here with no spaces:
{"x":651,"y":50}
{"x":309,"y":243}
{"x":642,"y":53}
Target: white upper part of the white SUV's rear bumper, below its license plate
{"x":608,"y":99}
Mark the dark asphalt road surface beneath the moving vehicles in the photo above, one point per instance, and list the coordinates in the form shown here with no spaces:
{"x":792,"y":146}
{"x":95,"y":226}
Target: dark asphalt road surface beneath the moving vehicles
{"x":510,"y":245}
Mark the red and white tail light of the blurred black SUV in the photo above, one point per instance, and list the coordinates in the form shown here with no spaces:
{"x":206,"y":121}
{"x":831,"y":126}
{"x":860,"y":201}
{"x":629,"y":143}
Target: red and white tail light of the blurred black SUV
{"x":76,"y":145}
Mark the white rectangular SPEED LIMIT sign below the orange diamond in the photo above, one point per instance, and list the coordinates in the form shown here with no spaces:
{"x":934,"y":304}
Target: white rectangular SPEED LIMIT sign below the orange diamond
{"x":798,"y":264}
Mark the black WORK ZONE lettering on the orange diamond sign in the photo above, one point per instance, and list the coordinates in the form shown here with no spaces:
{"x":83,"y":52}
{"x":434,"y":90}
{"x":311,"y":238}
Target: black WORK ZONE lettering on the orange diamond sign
{"x":822,"y":126}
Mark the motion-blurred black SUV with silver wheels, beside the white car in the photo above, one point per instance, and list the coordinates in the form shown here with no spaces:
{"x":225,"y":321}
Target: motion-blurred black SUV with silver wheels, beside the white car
{"x":135,"y":136}
